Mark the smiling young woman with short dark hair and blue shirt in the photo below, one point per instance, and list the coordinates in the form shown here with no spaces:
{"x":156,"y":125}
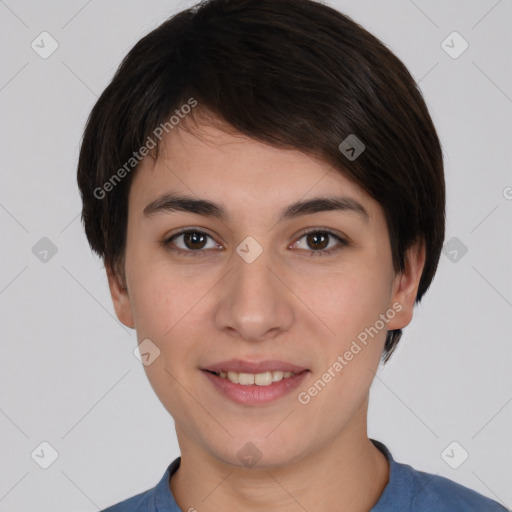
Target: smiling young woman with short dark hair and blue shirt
{"x":265,"y":186}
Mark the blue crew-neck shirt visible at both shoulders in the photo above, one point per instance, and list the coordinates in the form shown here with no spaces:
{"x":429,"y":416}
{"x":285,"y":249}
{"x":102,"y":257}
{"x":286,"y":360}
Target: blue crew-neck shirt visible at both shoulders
{"x":407,"y":490}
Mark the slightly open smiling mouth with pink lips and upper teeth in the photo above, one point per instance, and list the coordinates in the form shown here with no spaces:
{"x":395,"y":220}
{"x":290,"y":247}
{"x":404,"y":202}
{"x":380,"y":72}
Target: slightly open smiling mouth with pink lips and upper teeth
{"x":250,"y":383}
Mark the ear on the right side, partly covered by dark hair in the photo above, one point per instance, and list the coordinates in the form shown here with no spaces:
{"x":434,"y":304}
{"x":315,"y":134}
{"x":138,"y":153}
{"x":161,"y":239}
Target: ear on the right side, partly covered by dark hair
{"x":405,"y":286}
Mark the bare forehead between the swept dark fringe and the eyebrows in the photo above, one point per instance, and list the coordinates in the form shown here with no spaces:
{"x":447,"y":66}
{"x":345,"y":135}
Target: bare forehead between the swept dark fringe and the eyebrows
{"x":219,"y":163}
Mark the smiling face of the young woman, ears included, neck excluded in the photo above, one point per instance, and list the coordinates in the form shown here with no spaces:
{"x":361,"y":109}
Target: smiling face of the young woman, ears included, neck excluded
{"x":242,"y":282}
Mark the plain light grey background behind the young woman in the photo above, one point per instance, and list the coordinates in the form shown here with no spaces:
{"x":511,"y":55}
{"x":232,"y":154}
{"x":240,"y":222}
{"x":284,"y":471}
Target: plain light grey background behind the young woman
{"x":68,"y":373}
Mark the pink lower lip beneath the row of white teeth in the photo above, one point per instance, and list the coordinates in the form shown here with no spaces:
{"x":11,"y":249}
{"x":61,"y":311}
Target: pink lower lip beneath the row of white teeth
{"x":254,"y":394}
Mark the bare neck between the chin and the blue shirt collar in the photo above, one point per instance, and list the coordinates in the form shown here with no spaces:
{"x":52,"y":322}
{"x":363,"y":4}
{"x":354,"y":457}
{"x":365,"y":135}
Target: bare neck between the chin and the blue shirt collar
{"x":349,"y":470}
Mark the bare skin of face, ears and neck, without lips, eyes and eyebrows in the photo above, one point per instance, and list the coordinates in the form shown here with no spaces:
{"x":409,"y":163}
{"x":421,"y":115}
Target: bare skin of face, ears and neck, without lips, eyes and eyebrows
{"x":287,"y":305}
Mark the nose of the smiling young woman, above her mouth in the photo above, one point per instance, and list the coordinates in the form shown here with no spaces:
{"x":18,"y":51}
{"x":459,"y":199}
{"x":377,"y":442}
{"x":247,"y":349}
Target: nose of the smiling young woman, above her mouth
{"x":255,"y":304}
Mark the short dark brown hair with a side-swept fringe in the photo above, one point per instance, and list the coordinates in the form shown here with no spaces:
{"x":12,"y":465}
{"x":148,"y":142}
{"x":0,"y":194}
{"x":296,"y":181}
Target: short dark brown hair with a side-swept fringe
{"x":290,"y":73}
